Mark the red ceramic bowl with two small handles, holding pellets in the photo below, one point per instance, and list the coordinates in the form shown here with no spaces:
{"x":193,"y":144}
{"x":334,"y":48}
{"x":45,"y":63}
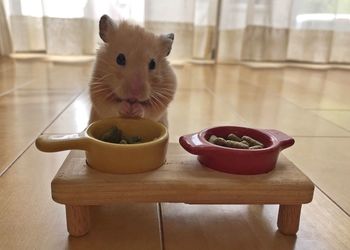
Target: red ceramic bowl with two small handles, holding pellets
{"x":237,"y":161}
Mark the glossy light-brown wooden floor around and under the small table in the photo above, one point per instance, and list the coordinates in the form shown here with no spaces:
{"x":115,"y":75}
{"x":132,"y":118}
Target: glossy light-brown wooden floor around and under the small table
{"x":313,"y":106}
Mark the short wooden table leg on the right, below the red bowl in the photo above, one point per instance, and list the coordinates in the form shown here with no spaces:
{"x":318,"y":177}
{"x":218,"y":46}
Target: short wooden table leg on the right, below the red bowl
{"x":288,"y":219}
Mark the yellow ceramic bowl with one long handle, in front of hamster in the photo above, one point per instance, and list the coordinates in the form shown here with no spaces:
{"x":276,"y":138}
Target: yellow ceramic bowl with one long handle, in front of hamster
{"x":110,"y":157}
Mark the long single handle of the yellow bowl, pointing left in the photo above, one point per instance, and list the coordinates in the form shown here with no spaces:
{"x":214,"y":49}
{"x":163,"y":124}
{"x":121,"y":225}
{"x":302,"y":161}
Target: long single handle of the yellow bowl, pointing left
{"x":60,"y":142}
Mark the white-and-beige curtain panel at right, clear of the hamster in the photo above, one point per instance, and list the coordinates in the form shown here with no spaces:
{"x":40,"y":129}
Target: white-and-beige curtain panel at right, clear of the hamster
{"x":288,"y":30}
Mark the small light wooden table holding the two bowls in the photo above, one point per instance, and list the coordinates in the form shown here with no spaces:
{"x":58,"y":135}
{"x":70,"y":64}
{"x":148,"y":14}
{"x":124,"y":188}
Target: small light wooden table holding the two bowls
{"x":181,"y":179}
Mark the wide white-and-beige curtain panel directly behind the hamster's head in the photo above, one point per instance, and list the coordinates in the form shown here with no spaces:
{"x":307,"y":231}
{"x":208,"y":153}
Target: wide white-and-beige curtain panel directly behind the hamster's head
{"x":68,"y":27}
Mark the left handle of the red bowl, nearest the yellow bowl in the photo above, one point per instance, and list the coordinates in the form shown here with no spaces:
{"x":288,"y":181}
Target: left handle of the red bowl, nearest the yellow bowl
{"x":192,"y":144}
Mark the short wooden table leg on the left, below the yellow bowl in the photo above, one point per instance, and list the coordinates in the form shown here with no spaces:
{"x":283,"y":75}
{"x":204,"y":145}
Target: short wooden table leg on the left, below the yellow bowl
{"x":78,"y":220}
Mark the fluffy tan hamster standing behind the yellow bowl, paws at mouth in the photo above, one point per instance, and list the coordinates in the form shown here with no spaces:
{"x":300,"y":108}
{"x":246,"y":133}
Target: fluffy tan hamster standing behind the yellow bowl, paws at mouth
{"x":131,"y":77}
